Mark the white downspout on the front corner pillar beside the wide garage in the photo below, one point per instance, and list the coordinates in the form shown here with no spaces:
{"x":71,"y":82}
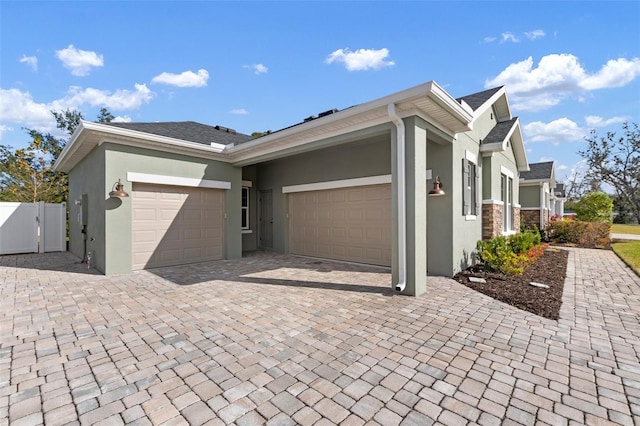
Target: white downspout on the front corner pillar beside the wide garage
{"x":402,"y":198}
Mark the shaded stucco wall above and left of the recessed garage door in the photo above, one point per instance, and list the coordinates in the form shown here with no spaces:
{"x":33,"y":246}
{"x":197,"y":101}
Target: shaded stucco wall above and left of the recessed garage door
{"x":367,"y":157}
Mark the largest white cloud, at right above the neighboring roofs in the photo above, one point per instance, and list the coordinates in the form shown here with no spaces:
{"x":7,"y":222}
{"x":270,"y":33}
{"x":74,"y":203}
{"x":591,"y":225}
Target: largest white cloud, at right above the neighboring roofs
{"x":558,"y":76}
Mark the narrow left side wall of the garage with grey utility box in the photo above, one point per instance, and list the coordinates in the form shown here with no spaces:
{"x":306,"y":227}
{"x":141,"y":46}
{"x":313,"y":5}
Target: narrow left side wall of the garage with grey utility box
{"x":88,"y":178}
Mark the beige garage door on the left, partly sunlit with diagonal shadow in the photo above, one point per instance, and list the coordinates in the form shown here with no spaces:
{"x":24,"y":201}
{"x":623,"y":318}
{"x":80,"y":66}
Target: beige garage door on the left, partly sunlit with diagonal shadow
{"x":176,"y":225}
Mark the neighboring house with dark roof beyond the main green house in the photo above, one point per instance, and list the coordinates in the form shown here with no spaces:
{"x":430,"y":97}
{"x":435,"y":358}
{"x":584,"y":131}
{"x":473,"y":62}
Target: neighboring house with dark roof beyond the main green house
{"x":540,"y":196}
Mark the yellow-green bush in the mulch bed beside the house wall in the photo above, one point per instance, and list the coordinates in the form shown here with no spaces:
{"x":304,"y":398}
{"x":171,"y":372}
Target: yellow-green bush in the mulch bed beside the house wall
{"x":510,"y":255}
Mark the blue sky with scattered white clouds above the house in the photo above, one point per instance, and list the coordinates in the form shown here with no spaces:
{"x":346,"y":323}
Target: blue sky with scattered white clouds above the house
{"x":253,"y":66}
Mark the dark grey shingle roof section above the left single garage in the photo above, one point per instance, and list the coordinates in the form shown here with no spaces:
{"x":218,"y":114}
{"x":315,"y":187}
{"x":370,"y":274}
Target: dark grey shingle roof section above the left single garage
{"x":188,"y":131}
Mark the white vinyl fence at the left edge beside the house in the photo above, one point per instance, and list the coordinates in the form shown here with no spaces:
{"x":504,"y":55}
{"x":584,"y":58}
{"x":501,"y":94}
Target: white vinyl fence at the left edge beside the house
{"x":32,"y":227}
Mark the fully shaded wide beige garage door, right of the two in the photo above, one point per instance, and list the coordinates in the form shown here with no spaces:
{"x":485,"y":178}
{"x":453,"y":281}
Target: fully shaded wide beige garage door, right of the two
{"x":352,"y":224}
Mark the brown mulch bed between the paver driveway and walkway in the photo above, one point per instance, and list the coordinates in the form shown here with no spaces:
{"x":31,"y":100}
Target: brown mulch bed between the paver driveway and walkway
{"x":549,"y":269}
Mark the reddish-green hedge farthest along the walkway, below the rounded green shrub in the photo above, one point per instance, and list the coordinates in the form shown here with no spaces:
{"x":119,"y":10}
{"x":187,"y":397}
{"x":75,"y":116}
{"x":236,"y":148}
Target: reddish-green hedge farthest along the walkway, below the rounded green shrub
{"x":586,"y":234}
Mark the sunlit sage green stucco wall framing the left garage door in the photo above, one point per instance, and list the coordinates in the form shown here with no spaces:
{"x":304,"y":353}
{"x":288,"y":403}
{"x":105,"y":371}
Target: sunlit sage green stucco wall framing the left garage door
{"x":121,"y":159}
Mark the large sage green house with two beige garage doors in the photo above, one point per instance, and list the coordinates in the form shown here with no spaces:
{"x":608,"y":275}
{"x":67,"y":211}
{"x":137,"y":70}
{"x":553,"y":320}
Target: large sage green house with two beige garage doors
{"x":347,"y":184}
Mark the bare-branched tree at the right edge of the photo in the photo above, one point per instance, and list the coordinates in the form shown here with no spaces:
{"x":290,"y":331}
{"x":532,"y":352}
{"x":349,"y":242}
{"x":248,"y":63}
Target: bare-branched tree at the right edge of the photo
{"x":615,"y":161}
